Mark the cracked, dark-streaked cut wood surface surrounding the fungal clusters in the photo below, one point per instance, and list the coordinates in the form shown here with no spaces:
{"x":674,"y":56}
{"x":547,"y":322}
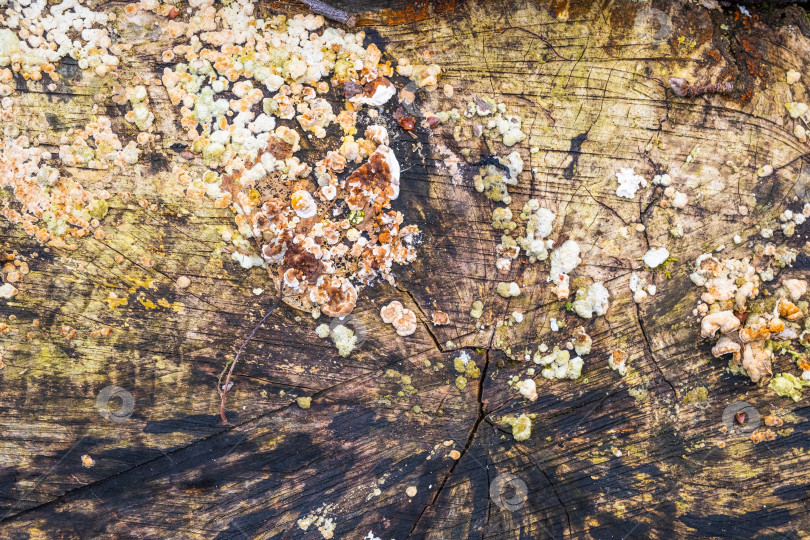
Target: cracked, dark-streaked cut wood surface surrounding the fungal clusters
{"x":608,"y":457}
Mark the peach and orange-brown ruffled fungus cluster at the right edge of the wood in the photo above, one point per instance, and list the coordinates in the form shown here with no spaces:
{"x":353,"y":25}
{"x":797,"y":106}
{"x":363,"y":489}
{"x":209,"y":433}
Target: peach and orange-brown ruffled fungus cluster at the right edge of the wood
{"x":745,"y":322}
